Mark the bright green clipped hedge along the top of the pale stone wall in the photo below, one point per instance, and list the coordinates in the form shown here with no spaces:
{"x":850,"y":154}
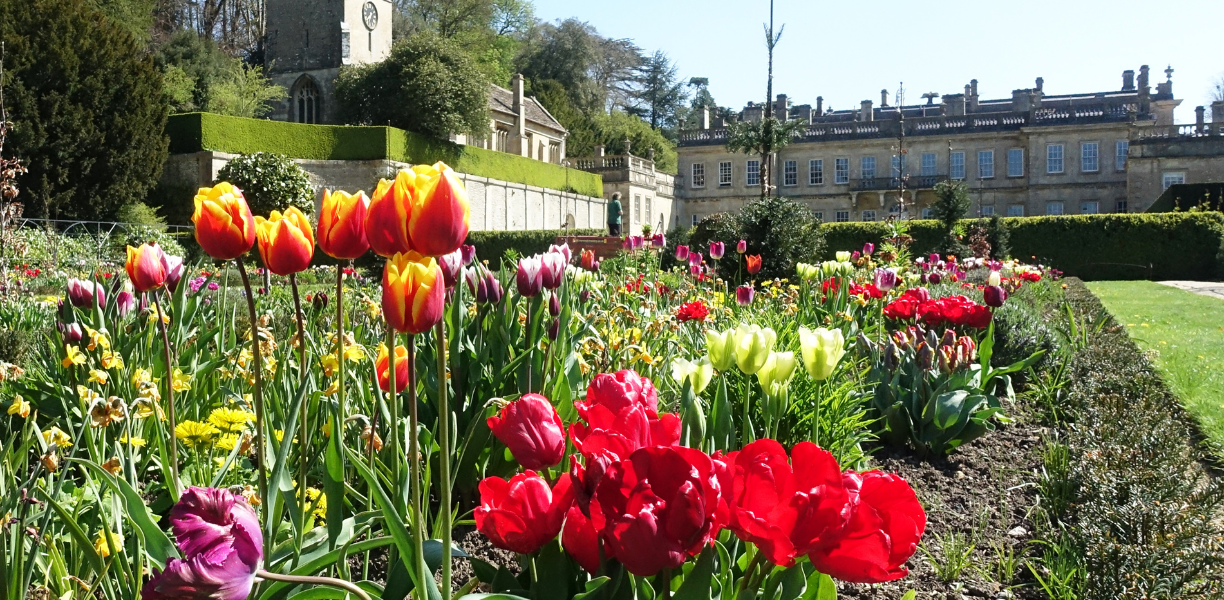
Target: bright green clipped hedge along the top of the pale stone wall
{"x":201,"y":132}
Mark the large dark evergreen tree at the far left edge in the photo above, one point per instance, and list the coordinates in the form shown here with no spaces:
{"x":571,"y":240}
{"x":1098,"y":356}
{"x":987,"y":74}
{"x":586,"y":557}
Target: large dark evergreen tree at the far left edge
{"x":88,"y":108}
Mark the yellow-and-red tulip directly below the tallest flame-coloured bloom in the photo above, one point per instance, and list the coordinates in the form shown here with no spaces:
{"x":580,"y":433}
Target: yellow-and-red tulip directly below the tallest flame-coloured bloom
{"x":414,"y":293}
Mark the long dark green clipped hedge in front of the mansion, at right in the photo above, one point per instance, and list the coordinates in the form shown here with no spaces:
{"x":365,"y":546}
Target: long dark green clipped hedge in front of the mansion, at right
{"x":1091,"y":247}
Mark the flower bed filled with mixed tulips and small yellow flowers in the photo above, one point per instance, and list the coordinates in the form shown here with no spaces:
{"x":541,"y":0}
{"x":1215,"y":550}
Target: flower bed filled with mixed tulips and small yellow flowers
{"x":609,"y":430}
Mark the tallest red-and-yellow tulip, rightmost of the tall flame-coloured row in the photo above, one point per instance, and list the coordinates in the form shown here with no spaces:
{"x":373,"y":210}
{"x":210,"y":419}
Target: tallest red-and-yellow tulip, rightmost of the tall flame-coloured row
{"x":440,"y":216}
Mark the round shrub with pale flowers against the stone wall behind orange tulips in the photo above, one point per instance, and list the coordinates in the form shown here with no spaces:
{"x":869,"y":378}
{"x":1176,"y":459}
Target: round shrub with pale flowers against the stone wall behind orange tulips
{"x":270,"y":183}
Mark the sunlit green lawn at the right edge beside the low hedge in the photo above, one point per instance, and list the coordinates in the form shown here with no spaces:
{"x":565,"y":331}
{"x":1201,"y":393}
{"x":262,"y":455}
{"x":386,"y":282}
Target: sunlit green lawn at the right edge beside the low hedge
{"x":1184,"y":332}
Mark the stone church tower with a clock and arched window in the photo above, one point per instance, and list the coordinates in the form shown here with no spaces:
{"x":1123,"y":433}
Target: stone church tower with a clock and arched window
{"x":309,"y":41}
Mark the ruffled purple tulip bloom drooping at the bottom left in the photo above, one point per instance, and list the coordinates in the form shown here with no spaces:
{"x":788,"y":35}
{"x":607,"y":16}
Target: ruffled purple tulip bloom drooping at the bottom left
{"x":220,"y":537}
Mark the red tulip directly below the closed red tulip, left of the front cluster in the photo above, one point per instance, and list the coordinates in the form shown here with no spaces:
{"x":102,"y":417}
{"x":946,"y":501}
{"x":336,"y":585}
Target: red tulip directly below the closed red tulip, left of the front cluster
{"x":523,"y":515}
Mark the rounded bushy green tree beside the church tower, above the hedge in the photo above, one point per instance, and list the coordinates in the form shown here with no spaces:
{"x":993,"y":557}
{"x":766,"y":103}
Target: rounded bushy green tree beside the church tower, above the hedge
{"x":428,"y":85}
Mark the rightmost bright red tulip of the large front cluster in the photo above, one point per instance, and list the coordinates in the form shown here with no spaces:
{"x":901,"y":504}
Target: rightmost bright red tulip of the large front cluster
{"x":883,"y":533}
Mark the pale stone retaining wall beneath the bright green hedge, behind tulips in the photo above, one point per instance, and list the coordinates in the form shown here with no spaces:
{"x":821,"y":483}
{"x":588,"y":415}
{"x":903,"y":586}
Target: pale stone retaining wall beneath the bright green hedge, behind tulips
{"x":495,"y":205}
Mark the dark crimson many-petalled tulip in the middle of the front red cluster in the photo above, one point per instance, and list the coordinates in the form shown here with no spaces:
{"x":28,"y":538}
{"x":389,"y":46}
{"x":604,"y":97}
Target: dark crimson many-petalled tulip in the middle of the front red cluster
{"x":658,"y":508}
